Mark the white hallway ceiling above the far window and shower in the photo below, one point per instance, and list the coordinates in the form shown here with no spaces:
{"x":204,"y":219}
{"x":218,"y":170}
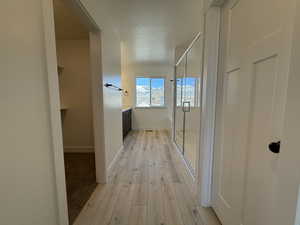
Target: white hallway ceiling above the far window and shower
{"x":151,"y":29}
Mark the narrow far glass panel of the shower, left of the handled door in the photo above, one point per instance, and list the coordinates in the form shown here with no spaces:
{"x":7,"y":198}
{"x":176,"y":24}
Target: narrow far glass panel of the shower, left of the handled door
{"x":179,"y":115}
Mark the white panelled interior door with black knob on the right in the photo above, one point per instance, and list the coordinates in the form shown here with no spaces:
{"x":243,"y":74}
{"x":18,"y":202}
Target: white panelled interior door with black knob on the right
{"x":252,"y":110}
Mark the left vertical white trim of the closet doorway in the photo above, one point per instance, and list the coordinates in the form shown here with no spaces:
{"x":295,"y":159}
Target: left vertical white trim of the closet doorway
{"x":54,"y":109}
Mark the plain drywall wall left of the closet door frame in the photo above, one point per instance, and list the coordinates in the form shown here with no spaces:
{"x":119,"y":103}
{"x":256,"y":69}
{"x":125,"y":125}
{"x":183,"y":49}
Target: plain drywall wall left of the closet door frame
{"x":27,"y":192}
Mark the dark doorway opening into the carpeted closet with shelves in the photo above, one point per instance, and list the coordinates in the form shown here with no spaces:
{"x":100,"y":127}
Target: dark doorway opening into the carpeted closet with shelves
{"x":74,"y":76}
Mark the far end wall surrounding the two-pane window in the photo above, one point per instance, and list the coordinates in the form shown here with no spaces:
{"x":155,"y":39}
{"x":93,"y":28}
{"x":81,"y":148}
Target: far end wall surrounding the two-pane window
{"x":148,"y":118}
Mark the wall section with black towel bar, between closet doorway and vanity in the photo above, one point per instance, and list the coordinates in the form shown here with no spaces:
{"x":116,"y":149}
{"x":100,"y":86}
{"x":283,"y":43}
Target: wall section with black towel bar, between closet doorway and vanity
{"x":111,"y":61}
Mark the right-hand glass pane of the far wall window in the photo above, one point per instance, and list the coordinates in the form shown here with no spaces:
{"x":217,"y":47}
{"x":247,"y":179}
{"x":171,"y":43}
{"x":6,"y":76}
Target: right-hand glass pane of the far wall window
{"x":157,"y":92}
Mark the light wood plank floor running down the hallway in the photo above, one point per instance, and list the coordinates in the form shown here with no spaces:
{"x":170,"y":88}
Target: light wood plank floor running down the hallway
{"x":149,"y":185}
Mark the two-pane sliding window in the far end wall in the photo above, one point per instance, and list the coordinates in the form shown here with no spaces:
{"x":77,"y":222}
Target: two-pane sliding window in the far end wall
{"x":150,"y":92}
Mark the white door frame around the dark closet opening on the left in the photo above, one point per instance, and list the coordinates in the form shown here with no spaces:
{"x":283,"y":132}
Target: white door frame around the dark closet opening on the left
{"x":54,"y":100}
